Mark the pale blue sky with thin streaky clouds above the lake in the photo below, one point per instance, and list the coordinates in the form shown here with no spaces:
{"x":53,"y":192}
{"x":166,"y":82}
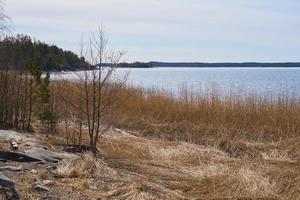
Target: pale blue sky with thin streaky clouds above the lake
{"x":169,"y":30}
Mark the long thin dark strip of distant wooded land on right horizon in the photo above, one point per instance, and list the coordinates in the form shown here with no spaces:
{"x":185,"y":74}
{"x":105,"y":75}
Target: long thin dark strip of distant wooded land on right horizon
{"x":247,"y":64}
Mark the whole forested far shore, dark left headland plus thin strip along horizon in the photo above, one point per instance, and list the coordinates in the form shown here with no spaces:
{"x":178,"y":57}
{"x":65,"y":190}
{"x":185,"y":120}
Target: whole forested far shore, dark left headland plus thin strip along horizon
{"x":19,"y":51}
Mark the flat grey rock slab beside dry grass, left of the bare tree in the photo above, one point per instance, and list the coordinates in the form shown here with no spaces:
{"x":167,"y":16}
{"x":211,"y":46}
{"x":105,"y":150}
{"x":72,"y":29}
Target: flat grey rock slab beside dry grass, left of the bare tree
{"x":43,"y":155}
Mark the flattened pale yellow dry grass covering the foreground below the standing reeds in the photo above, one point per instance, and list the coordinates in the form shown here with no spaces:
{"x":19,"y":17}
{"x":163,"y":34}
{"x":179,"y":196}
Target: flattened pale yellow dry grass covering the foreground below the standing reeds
{"x":134,"y":167}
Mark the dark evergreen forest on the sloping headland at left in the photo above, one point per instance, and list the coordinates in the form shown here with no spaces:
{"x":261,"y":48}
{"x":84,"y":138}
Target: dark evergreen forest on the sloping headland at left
{"x":21,"y":51}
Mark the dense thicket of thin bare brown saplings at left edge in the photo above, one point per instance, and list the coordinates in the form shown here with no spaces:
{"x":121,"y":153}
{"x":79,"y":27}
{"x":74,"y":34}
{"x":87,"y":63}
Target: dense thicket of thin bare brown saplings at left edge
{"x":16,"y":100}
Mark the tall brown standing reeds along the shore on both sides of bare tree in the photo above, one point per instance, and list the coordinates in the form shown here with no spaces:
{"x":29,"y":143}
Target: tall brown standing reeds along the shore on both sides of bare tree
{"x":239,"y":123}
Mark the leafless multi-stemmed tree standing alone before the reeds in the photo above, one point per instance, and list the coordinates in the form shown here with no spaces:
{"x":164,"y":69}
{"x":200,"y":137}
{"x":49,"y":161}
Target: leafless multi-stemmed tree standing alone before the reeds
{"x":94,"y":83}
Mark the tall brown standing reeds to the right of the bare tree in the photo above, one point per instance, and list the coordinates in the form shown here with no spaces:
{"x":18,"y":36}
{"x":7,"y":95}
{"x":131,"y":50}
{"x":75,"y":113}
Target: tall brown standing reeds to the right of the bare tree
{"x":203,"y":117}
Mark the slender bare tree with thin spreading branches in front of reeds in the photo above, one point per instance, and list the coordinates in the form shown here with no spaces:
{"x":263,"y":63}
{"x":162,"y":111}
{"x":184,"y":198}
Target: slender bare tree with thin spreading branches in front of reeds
{"x":99,"y":86}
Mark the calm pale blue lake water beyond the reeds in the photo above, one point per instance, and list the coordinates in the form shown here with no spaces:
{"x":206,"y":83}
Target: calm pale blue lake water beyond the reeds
{"x":265,"y":81}
